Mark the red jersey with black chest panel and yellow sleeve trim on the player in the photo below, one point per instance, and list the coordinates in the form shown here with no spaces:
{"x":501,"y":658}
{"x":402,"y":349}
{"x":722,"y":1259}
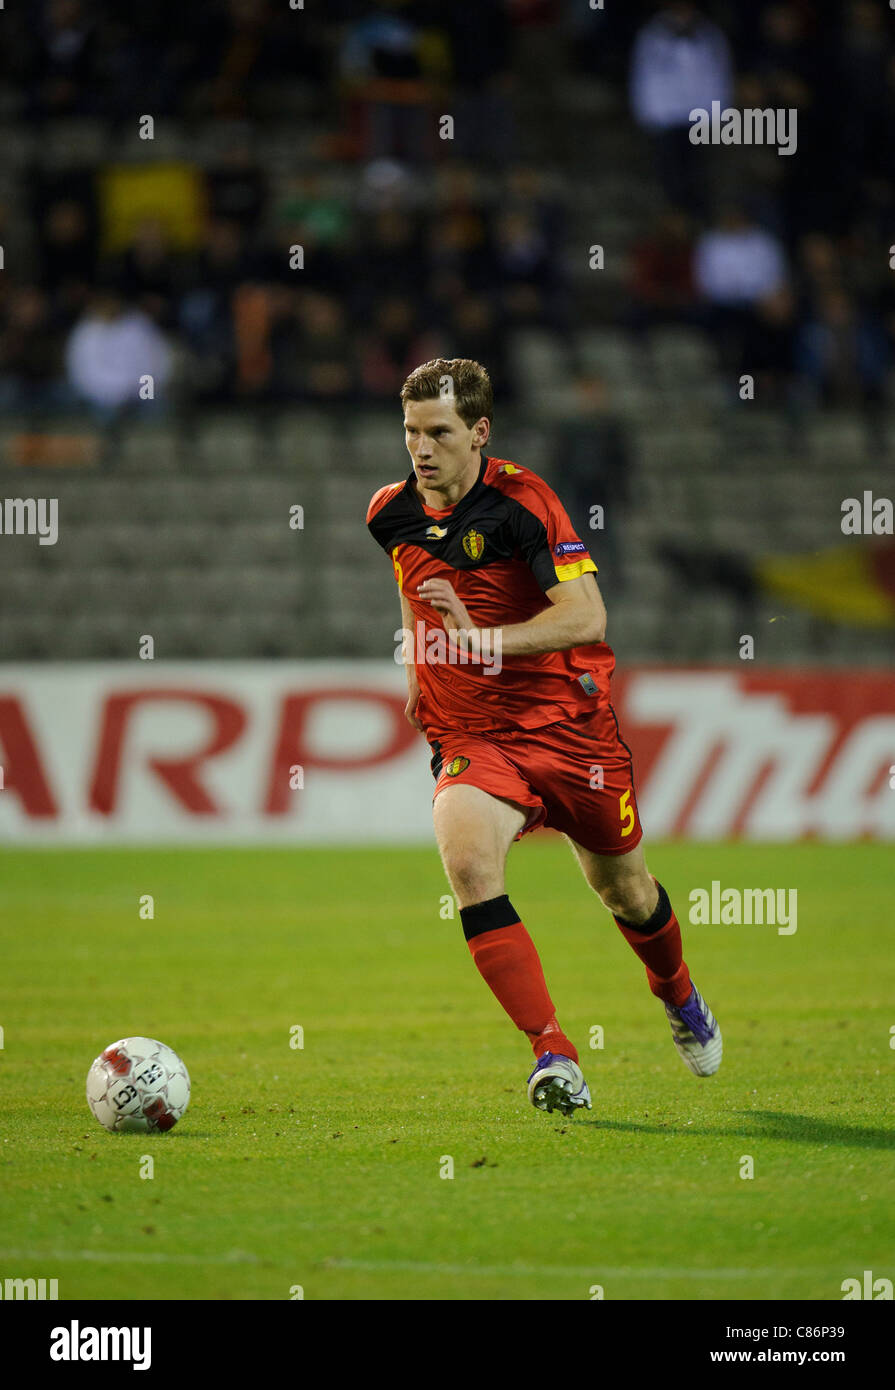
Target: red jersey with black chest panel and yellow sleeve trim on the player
{"x":502,"y":547}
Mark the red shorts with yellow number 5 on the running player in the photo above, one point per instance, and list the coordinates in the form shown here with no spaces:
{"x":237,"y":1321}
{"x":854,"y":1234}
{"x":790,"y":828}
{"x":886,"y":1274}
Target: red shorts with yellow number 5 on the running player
{"x":575,"y":776}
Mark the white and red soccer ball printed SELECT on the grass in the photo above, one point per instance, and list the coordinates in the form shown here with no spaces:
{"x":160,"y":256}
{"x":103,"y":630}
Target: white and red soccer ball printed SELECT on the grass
{"x":138,"y":1085}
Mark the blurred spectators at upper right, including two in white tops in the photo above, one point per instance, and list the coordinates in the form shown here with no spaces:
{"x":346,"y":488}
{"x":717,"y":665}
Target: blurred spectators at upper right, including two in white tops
{"x":789,"y":273}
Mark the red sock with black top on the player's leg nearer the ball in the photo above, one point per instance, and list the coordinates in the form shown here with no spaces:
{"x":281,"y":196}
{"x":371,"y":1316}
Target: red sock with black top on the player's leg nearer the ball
{"x":509,"y":964}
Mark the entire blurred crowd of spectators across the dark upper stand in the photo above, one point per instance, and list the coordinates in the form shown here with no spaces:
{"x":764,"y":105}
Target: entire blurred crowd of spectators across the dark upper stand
{"x":440,"y":247}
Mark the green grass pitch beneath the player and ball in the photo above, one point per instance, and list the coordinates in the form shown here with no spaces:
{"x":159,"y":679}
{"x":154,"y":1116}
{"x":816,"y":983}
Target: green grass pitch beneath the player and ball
{"x":320,"y":1167}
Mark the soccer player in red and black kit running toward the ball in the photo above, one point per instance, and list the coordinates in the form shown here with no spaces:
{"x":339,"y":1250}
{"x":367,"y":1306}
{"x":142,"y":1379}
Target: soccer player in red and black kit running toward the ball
{"x":508,"y":676}
